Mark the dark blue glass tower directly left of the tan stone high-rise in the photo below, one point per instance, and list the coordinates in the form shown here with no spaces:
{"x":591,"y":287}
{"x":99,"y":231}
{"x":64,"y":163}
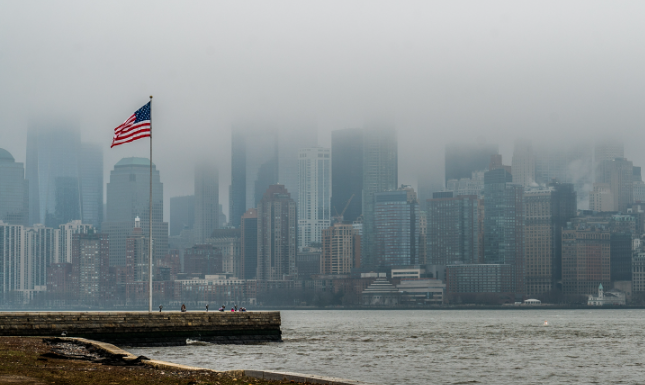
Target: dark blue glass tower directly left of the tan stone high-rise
{"x":504,"y":223}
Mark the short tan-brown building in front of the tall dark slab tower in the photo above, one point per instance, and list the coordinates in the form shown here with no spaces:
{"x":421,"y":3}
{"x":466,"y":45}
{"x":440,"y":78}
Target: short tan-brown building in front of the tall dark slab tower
{"x":339,"y":249}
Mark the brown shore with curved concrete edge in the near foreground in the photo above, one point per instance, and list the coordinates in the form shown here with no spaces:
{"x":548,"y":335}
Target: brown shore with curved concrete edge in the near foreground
{"x":37,"y":361}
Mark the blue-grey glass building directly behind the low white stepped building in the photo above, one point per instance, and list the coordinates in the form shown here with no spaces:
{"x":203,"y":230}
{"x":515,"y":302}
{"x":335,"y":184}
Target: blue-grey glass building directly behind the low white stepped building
{"x":396,"y":222}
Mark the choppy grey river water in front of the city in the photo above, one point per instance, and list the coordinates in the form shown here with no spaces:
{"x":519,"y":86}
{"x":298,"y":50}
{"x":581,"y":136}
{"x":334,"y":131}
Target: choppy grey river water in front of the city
{"x":443,"y":347}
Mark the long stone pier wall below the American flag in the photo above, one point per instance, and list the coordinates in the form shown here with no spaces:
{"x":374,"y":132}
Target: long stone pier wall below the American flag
{"x":147,"y":329}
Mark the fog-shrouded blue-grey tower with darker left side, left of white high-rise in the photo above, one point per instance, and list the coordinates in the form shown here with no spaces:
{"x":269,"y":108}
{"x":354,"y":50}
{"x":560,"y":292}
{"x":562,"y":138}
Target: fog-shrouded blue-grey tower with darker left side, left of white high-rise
{"x":254,"y":167}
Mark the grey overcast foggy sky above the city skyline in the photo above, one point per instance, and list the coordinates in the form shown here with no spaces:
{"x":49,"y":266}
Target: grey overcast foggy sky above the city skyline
{"x":441,"y":70}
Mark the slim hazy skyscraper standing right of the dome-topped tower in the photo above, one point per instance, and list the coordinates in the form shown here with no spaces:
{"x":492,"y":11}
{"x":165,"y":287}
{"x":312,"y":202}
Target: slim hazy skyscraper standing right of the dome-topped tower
{"x":206,"y":201}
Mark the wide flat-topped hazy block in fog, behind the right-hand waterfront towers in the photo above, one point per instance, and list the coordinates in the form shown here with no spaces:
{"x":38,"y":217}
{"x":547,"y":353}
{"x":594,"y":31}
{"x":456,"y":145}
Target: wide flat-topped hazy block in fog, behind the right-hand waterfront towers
{"x":462,"y":159}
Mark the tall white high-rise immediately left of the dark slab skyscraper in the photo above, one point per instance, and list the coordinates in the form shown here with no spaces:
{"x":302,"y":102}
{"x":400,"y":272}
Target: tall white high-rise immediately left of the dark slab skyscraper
{"x":314,"y":194}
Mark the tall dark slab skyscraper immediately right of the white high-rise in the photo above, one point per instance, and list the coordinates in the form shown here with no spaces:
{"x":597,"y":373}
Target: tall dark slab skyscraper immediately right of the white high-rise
{"x":347,"y":173}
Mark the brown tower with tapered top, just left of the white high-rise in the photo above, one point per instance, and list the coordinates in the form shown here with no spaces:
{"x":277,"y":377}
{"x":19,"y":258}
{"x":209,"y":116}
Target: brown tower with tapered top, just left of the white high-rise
{"x":277,"y":234}
